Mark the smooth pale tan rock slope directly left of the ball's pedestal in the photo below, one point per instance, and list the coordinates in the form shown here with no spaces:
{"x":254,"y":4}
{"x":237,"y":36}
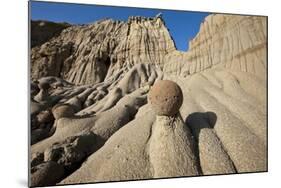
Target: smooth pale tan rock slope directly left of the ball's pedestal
{"x":106,"y":163}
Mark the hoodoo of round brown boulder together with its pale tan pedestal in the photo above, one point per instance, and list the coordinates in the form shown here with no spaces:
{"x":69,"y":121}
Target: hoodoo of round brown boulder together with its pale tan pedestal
{"x":171,"y":149}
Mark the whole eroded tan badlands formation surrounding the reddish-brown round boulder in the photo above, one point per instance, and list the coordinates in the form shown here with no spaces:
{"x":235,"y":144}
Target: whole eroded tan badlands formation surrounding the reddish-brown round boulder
{"x":92,"y":120}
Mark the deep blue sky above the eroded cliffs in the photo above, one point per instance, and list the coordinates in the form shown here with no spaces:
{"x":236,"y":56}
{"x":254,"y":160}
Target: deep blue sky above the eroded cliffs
{"x":183,"y":25}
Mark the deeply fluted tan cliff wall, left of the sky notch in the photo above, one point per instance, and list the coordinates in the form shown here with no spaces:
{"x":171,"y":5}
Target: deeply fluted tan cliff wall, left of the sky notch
{"x":88,"y":54}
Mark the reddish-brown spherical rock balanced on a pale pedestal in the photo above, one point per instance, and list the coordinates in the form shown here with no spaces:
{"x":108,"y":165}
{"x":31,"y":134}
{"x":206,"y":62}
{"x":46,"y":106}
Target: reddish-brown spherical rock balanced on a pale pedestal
{"x":165,"y":97}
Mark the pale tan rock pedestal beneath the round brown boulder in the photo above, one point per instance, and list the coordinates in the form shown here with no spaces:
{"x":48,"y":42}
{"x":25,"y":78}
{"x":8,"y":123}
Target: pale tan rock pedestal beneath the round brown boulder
{"x":171,"y":150}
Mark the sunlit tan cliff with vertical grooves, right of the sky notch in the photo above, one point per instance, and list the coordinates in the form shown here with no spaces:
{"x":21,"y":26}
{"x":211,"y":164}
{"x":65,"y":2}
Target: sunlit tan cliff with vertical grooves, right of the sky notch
{"x":234,"y":42}
